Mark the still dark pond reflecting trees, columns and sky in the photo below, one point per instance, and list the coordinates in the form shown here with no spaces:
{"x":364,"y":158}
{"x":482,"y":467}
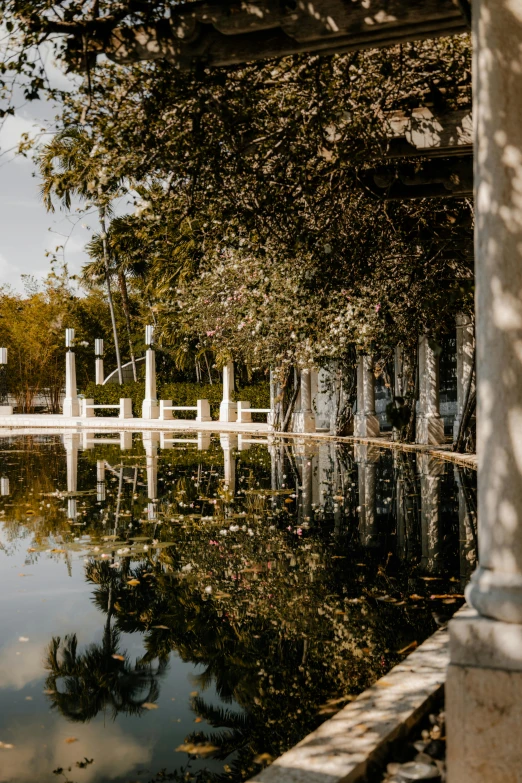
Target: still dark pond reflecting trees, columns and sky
{"x":188,"y":608}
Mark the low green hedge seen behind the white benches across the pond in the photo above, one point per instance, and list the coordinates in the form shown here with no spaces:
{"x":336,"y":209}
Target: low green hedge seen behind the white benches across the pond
{"x":180,"y":394}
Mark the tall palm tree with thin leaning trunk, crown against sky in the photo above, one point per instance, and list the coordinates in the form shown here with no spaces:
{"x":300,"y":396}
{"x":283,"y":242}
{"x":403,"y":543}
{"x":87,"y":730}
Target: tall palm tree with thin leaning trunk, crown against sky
{"x":73,"y":165}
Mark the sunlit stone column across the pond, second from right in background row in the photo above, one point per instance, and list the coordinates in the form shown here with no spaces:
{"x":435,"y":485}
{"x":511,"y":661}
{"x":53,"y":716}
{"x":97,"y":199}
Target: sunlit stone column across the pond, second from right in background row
{"x":430,"y":425}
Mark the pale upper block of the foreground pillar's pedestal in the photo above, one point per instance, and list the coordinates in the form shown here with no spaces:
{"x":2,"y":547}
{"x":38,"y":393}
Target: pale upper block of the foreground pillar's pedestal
{"x":479,"y":642}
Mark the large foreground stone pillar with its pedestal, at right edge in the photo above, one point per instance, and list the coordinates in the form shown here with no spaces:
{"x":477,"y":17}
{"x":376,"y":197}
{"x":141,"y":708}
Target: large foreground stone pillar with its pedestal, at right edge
{"x":484,"y":685}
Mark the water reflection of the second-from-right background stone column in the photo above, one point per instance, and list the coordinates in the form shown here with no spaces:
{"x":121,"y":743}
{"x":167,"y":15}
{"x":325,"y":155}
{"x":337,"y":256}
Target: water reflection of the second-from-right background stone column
{"x":430,"y":472}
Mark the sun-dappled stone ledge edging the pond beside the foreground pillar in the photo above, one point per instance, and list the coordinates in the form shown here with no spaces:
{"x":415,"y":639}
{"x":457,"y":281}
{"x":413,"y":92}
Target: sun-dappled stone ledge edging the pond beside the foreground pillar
{"x":346,"y":747}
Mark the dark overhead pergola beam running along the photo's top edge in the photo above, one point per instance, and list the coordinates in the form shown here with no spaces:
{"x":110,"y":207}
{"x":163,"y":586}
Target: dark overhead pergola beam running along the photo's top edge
{"x":223,"y":34}
